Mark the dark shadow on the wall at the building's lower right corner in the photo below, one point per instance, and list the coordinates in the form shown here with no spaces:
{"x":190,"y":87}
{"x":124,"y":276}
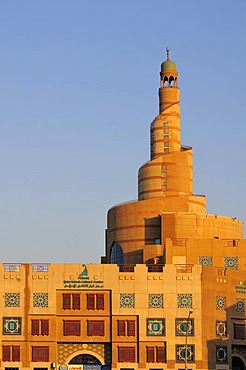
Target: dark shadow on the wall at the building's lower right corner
{"x":229,"y":347}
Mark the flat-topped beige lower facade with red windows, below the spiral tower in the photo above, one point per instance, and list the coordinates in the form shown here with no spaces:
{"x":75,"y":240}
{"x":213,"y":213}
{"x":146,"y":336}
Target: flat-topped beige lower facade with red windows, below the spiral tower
{"x":143,"y":315}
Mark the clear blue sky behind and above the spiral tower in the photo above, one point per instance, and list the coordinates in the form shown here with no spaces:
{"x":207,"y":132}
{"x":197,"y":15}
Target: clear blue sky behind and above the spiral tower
{"x":78,"y":91}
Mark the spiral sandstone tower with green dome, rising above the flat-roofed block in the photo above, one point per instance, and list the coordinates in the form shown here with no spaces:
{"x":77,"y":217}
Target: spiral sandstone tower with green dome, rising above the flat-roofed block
{"x":168,"y":223}
